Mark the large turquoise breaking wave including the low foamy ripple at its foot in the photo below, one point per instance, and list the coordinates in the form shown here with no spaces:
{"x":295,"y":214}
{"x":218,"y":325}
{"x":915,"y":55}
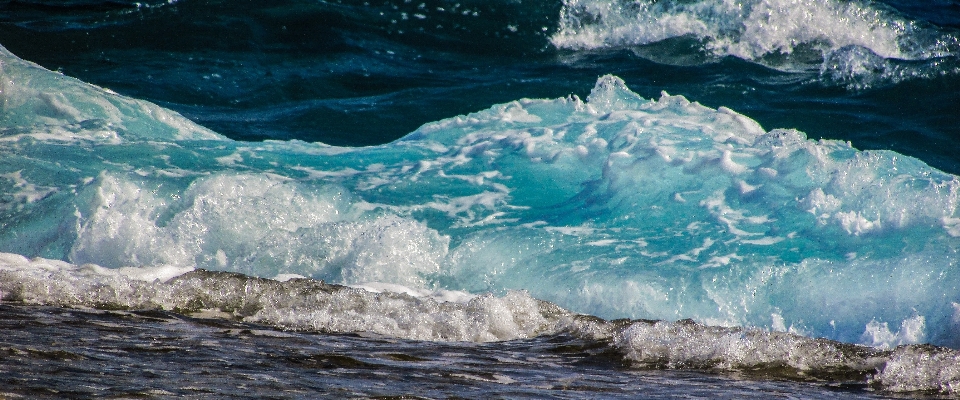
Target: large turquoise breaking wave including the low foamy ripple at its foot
{"x":525,"y":219}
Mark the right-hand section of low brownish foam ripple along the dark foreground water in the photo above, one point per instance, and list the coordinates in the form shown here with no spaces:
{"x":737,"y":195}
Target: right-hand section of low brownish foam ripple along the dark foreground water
{"x":686,"y":344}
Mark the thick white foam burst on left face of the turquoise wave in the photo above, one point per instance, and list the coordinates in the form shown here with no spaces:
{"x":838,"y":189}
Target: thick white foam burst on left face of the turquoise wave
{"x":255,"y":224}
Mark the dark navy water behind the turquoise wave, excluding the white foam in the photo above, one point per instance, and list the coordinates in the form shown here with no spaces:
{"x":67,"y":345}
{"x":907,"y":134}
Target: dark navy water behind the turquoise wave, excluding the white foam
{"x":368,"y":72}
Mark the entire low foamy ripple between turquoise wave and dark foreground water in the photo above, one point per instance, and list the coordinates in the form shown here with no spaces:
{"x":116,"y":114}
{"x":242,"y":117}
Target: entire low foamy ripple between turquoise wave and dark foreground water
{"x":303,"y":304}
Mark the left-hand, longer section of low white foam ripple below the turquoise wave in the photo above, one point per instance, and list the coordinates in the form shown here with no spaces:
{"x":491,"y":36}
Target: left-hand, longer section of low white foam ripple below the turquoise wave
{"x":293,"y":304}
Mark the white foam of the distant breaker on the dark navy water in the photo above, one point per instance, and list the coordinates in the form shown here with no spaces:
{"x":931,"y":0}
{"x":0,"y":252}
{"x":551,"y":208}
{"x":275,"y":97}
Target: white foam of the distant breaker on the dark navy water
{"x":746,"y":29}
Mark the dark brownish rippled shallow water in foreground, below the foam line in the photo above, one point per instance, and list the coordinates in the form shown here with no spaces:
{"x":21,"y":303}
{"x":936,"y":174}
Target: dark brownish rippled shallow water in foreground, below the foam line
{"x":49,"y":352}
